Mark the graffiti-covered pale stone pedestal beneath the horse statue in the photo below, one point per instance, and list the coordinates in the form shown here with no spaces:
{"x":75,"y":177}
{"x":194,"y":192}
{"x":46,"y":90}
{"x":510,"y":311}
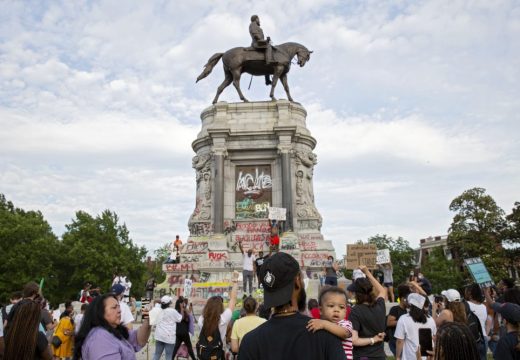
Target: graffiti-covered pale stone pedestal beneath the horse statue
{"x":249,"y":156}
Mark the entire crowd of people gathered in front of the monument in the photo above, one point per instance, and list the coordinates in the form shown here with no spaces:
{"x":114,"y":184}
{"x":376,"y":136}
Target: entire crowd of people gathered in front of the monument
{"x":351,"y":323}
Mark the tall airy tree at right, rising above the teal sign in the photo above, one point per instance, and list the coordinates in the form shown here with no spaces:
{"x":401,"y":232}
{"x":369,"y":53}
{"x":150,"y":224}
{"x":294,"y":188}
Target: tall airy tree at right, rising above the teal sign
{"x":477,"y":230}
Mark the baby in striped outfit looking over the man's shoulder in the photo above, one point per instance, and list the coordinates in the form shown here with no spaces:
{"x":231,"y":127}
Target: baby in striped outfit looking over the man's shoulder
{"x":333,"y":308}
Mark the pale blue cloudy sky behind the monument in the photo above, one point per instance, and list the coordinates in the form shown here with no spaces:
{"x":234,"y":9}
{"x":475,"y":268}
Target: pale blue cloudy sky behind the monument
{"x":411,"y":102}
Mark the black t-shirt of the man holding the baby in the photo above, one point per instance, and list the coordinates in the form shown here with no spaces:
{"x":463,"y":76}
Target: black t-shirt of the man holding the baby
{"x":286,"y":337}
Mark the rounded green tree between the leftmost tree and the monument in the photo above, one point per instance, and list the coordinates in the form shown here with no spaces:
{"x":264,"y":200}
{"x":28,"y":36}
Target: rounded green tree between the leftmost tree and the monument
{"x":96,"y":248}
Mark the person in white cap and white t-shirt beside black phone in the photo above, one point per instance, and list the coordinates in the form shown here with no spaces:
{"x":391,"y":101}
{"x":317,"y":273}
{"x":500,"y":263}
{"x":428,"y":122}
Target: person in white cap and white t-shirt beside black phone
{"x":414,"y":329}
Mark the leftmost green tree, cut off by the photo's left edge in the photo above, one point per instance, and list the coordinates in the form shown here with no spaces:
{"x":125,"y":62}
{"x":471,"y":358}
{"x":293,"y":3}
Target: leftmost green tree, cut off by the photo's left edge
{"x":29,"y":250}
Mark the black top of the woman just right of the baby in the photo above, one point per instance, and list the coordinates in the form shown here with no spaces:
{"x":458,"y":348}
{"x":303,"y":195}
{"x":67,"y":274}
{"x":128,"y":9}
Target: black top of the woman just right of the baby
{"x":369,"y":321}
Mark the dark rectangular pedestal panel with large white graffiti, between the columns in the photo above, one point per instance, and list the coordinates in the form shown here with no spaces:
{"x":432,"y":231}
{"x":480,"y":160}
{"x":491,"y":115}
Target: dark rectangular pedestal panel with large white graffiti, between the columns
{"x":253,"y":192}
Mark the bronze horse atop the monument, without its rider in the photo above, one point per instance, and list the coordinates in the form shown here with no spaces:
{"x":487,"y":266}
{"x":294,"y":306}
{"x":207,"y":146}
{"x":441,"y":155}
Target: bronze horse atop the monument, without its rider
{"x":246,"y":60}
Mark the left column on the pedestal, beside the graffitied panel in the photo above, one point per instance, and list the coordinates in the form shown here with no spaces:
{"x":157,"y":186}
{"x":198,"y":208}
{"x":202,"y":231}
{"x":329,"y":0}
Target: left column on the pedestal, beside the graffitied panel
{"x":219,"y":152}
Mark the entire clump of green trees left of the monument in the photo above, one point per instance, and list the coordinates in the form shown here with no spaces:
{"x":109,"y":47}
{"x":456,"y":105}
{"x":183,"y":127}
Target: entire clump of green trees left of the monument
{"x":92,"y":249}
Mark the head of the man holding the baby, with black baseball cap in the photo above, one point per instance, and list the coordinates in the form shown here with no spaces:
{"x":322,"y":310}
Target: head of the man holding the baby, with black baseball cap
{"x":277,"y":276}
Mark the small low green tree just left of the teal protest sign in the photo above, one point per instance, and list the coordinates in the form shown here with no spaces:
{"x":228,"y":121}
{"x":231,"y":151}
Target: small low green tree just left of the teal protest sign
{"x":442,"y":273}
